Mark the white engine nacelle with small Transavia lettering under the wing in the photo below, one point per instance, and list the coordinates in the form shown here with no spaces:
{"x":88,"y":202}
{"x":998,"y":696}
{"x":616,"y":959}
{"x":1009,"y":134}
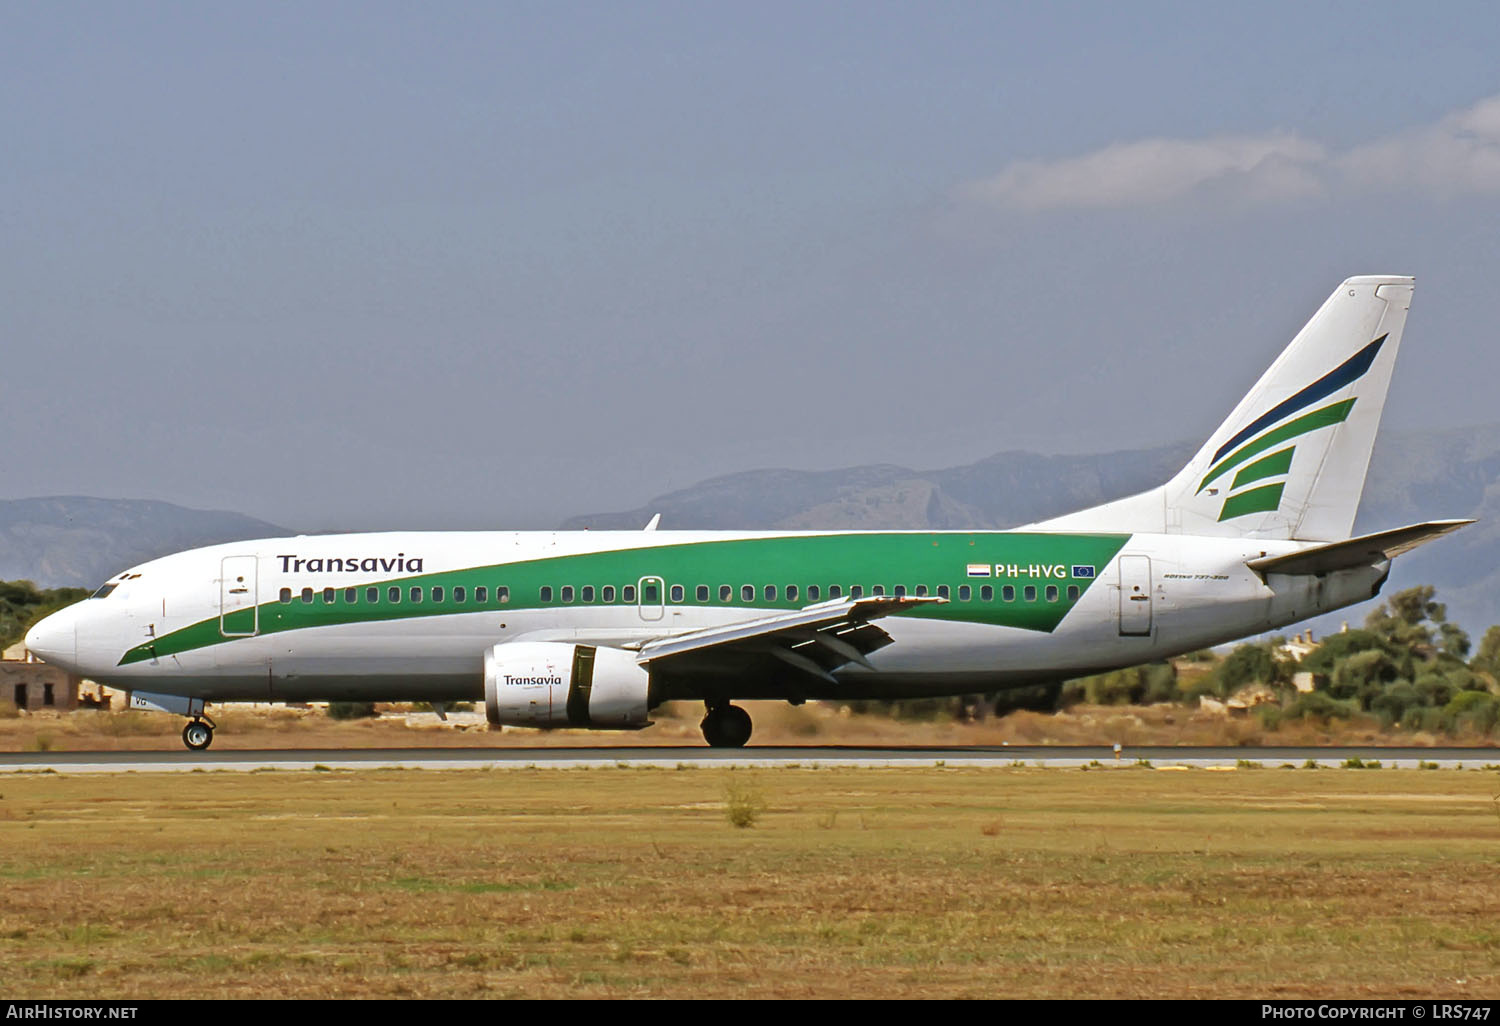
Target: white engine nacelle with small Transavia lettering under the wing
{"x":557,"y":685}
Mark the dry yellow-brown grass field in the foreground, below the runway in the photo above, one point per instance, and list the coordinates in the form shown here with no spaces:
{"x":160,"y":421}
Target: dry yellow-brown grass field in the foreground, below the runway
{"x":848,"y":883}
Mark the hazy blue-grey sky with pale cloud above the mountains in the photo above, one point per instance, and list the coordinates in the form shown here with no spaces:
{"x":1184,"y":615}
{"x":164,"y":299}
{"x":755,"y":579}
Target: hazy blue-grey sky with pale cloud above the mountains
{"x":365,"y":266}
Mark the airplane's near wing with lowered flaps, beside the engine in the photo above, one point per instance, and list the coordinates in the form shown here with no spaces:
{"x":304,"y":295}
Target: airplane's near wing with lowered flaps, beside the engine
{"x":815,"y":640}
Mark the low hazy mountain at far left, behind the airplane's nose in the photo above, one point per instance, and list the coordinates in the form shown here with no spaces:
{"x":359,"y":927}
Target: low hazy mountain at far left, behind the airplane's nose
{"x":71,"y":541}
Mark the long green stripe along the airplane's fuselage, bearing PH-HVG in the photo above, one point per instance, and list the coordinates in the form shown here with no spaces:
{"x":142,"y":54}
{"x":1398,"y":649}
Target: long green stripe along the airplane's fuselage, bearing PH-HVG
{"x":1051,"y":565}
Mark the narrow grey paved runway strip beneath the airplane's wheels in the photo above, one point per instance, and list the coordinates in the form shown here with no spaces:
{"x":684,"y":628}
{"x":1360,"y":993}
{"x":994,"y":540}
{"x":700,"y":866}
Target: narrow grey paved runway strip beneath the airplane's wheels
{"x":800,"y":757}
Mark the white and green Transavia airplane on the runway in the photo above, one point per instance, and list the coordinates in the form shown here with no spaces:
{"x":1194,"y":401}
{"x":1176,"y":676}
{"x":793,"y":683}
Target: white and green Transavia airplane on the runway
{"x":596,"y":629}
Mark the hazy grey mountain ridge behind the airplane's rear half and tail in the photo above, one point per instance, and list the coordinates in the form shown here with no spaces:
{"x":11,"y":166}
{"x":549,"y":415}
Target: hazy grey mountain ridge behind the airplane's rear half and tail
{"x":1414,"y":478}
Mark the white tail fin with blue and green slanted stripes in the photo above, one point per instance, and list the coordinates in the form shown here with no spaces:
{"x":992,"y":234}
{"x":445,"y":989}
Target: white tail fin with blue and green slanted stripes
{"x":1291,"y":461}
